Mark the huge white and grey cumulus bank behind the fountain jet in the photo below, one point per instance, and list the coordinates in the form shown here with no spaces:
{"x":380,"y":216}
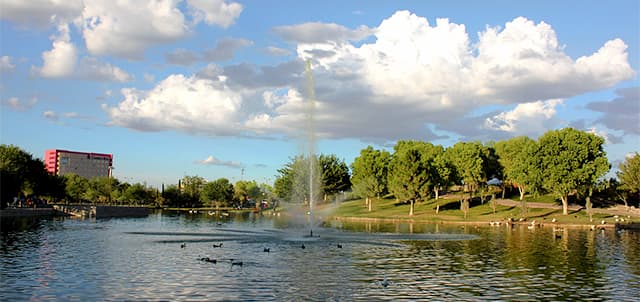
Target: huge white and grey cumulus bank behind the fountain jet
{"x":410,"y":79}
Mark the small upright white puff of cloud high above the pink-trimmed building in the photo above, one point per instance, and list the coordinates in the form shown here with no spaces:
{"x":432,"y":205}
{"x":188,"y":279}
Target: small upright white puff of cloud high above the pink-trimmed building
{"x":61,"y":60}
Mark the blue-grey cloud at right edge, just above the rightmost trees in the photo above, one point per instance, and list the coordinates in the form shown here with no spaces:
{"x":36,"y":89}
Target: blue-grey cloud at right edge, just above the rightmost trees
{"x":621,"y":113}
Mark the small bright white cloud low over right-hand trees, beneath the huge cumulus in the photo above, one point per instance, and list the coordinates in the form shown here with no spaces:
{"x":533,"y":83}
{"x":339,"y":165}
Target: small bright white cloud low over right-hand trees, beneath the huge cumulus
{"x":525,"y":119}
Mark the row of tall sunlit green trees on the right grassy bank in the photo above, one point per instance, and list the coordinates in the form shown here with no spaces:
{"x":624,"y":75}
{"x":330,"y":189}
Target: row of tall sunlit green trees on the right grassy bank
{"x":567,"y":163}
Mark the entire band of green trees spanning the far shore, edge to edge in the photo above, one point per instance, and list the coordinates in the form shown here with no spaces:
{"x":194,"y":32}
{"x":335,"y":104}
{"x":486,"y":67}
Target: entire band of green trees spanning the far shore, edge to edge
{"x":567,"y":163}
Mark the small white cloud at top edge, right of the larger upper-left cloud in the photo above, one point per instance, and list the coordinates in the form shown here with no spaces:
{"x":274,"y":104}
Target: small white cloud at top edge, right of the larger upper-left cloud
{"x":218,"y":12}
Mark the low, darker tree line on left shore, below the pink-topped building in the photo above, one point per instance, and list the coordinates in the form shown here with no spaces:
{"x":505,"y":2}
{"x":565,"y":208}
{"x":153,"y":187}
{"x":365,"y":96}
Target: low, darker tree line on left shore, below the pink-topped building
{"x":23,"y":176}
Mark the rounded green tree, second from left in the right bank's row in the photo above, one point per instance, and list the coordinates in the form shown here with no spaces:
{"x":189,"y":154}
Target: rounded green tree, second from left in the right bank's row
{"x":410,"y":172}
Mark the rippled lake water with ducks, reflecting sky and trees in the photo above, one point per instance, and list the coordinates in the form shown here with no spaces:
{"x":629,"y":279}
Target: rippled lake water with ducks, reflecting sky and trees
{"x":142,"y":259}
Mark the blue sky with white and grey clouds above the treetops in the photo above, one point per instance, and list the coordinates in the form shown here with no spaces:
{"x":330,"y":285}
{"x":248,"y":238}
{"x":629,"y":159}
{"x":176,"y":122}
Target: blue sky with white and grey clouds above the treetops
{"x":221,"y":88}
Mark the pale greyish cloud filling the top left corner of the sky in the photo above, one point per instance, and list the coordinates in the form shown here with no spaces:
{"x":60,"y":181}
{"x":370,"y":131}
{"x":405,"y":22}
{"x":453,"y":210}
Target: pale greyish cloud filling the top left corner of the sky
{"x":40,"y":13}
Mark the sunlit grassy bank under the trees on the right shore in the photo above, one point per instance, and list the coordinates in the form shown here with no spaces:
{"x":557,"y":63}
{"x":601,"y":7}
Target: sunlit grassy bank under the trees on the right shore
{"x":450,"y":212}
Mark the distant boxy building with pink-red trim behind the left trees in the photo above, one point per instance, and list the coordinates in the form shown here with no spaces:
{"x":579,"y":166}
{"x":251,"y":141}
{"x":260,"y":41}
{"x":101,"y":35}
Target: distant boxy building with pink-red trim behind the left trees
{"x":85,"y":164}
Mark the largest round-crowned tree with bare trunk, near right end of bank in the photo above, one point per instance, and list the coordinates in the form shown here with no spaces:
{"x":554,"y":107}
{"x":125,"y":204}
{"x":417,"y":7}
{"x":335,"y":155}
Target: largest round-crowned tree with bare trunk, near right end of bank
{"x":570,"y":159}
